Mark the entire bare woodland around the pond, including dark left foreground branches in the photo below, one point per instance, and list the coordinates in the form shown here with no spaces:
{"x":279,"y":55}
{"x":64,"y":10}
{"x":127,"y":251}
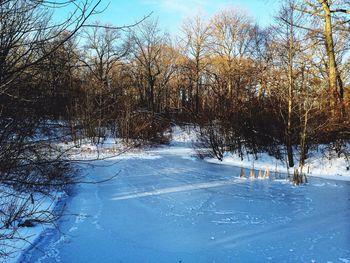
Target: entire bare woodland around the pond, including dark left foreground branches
{"x":282,"y":89}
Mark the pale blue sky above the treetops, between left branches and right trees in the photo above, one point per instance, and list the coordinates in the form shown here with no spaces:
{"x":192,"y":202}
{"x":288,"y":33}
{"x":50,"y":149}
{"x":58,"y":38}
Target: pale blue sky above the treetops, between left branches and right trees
{"x":171,"y":13}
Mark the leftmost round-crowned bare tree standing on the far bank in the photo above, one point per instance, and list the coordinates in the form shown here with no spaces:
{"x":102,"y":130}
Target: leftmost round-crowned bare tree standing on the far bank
{"x":105,"y":49}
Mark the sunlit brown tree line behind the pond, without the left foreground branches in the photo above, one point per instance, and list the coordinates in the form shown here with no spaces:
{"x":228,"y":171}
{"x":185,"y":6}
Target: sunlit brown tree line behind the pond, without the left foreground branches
{"x":254,"y":88}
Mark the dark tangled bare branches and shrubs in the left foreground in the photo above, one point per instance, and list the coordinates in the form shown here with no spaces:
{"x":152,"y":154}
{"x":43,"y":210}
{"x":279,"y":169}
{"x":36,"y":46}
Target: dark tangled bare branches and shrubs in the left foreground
{"x":29,"y":160}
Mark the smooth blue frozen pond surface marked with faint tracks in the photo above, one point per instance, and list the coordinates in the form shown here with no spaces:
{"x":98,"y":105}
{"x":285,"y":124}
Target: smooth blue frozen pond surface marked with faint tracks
{"x":167,"y":206}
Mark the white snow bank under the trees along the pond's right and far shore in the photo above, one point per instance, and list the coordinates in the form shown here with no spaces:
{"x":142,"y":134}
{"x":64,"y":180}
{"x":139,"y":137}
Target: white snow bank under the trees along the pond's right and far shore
{"x":321,"y":163}
